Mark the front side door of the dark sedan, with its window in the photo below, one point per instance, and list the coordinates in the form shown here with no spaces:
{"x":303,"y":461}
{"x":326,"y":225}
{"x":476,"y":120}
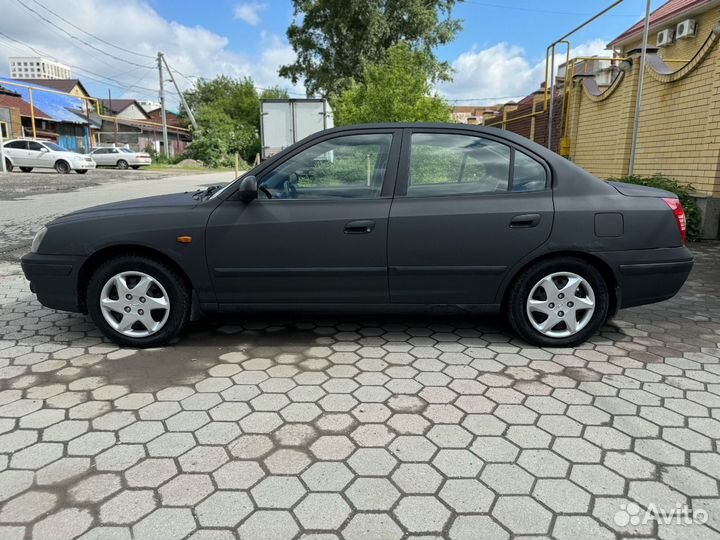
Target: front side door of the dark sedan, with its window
{"x":322,"y":236}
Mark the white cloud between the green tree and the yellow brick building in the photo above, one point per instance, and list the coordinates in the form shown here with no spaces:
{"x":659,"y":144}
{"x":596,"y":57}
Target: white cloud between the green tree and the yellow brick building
{"x":503,"y":72}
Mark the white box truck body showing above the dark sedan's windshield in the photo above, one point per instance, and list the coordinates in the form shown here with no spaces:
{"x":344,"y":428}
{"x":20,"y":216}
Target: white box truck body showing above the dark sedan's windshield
{"x":283,"y":122}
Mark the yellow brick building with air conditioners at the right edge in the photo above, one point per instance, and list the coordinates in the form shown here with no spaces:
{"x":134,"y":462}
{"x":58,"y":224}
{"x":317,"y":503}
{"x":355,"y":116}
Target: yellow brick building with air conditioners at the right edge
{"x":679,"y":128}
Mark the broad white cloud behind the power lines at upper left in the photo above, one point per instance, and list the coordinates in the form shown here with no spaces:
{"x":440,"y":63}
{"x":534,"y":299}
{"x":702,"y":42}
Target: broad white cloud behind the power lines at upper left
{"x":136,"y":26}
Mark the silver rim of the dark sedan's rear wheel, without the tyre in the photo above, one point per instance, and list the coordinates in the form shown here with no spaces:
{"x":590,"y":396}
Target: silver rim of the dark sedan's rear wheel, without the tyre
{"x":560,"y":304}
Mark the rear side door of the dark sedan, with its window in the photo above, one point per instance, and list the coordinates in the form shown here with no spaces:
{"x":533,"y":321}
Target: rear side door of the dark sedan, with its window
{"x":468,"y":207}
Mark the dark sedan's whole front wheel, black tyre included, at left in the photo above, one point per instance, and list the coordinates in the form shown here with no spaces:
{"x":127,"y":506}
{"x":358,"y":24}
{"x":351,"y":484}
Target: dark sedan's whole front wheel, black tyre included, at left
{"x":129,"y":270}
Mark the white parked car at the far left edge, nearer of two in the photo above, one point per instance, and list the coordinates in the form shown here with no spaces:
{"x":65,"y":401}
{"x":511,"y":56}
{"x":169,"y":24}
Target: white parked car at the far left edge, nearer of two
{"x":28,"y":155}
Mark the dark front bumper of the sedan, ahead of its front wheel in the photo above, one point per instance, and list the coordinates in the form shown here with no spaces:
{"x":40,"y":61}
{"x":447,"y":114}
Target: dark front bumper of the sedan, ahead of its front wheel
{"x":54,"y":279}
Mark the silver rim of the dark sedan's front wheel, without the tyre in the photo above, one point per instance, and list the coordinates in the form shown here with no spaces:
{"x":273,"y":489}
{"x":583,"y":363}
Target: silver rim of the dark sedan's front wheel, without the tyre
{"x":135,"y":304}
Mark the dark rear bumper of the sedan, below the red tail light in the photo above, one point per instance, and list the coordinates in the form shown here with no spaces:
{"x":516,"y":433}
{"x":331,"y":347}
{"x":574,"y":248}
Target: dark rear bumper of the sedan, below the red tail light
{"x":647,"y":276}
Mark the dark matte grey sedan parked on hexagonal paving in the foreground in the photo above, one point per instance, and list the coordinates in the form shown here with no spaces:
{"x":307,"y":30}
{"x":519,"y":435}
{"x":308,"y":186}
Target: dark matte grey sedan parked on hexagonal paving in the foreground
{"x":372,"y":218}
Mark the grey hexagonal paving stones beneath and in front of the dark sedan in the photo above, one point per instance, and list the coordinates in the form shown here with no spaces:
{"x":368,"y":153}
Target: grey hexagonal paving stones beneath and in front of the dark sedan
{"x":361,"y":429}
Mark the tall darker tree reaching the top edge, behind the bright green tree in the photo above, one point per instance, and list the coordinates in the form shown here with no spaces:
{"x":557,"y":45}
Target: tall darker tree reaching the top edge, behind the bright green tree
{"x":337,"y":38}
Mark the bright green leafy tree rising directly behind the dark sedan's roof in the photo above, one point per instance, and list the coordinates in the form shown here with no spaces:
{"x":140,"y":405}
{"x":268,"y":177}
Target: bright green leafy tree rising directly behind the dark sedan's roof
{"x":396,"y":90}
